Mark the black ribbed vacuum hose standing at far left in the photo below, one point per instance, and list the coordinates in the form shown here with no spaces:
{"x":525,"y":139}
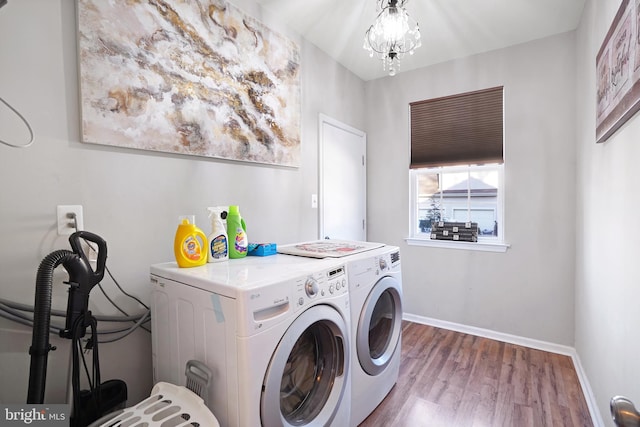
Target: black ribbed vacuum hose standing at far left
{"x":40,"y":346}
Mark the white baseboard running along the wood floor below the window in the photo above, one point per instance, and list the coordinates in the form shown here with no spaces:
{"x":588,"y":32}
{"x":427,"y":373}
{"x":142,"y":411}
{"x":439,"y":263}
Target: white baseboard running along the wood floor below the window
{"x":526,"y":342}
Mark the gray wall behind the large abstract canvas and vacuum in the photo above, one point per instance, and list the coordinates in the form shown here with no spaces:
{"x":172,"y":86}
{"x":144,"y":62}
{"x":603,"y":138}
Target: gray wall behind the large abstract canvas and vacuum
{"x":130,"y":198}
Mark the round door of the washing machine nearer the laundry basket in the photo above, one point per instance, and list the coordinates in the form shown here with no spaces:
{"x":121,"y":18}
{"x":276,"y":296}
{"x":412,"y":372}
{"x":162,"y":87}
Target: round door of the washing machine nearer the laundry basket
{"x":306,"y":378}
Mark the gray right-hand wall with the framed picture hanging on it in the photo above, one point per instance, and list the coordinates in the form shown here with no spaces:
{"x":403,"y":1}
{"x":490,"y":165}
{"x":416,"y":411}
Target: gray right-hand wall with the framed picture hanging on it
{"x":607,"y":274}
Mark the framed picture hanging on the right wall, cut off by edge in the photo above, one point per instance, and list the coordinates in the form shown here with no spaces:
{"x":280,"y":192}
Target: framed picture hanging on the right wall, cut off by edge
{"x":618,"y":72}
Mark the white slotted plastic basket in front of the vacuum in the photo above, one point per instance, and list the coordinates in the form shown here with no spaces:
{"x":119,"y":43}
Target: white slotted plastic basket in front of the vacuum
{"x":167,"y":406}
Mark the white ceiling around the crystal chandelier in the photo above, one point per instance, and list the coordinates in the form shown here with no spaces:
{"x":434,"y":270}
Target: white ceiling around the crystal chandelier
{"x":450,"y":28}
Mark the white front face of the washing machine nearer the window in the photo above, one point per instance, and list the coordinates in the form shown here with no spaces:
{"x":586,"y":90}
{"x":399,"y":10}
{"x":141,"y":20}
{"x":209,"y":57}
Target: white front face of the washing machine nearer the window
{"x":375,"y":290}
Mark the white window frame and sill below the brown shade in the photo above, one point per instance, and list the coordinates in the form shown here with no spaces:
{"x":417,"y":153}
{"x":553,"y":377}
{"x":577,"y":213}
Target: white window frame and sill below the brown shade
{"x":493,"y":244}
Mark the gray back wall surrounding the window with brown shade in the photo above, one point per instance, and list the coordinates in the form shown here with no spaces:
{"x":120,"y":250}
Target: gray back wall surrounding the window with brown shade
{"x":527,"y":291}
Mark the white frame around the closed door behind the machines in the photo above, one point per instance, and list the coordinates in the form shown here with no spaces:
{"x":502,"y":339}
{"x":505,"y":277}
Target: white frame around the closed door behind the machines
{"x":322,"y":120}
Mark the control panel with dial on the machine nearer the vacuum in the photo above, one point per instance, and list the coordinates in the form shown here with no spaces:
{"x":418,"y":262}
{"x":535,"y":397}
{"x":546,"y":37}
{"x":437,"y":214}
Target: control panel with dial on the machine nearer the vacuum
{"x":319,"y":285}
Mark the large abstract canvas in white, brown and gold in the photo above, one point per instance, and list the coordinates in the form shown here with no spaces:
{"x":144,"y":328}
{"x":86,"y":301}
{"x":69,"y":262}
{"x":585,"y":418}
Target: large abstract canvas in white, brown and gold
{"x":194,"y":77}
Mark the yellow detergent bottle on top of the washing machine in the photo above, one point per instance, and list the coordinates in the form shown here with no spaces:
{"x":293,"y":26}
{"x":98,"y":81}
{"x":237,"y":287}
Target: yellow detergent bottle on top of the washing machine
{"x":190,"y":244}
